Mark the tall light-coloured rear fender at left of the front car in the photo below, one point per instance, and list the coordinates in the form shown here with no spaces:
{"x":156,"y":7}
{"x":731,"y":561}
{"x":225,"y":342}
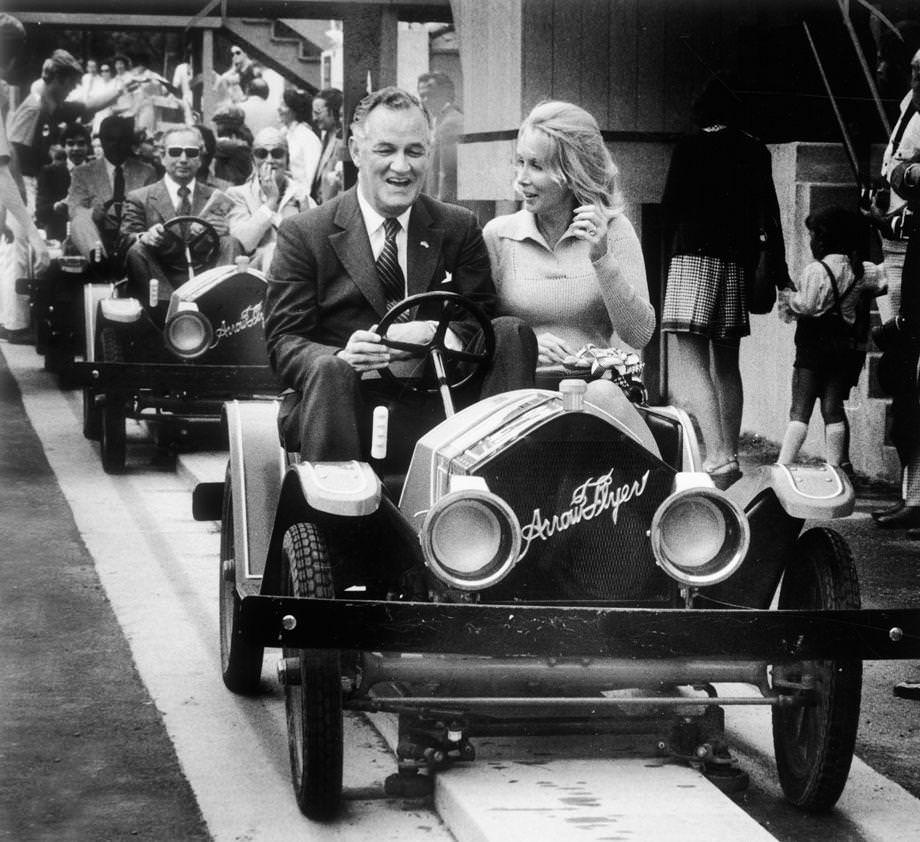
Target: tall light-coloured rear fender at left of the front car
{"x":256,"y":470}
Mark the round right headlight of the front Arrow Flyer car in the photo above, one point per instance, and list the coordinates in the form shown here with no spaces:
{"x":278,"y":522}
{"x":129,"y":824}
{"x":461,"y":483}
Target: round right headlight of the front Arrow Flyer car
{"x":700,"y":536}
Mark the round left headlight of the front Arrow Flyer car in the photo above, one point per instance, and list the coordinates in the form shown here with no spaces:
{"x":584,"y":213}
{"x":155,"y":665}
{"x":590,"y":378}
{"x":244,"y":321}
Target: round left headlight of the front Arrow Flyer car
{"x":471,"y":539}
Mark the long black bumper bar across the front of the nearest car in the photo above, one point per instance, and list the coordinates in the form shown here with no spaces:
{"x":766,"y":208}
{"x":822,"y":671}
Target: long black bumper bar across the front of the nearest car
{"x":545,"y":631}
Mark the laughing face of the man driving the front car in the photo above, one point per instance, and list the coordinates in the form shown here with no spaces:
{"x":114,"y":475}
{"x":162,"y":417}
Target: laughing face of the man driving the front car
{"x":391,"y":152}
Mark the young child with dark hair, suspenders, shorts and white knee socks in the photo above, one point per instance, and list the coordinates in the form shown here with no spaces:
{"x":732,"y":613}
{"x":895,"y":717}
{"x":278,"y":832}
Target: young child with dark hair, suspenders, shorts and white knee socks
{"x":830,"y":339}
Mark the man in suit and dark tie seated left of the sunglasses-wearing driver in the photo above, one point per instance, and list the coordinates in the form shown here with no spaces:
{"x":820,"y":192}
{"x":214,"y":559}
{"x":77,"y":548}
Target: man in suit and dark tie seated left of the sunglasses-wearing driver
{"x":112,"y":175}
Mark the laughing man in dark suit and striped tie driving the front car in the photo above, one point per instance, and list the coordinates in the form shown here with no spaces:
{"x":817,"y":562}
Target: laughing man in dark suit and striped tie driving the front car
{"x":332,"y":279}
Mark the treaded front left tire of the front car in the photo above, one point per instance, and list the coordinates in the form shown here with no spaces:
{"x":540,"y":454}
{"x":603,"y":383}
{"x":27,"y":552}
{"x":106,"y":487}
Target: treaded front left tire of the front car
{"x":314,"y":703}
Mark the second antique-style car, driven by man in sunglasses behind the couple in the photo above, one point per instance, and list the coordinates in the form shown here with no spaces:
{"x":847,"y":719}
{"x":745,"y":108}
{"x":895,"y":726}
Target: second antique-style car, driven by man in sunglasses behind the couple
{"x":171,"y":365}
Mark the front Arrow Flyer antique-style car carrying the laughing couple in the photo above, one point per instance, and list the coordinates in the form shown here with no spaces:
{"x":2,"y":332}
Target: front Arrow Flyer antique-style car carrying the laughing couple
{"x":542,"y":566}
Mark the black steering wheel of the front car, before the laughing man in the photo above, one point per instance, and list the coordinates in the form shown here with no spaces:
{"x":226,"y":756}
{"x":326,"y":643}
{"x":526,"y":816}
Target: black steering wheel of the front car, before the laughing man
{"x":454,"y":307}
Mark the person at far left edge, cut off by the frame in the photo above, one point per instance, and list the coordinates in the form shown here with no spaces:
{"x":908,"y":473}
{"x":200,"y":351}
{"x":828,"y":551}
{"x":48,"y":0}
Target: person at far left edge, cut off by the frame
{"x":14,"y":214}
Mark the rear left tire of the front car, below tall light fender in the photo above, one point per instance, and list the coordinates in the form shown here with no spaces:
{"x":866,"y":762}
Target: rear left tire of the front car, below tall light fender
{"x":240,"y":661}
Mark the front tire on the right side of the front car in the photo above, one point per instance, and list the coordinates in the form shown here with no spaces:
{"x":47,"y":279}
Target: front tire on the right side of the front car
{"x":814,"y":743}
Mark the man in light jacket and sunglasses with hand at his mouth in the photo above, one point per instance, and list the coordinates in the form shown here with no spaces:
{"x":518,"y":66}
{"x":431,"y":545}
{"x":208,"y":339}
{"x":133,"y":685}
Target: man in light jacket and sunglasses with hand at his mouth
{"x":265,"y":199}
